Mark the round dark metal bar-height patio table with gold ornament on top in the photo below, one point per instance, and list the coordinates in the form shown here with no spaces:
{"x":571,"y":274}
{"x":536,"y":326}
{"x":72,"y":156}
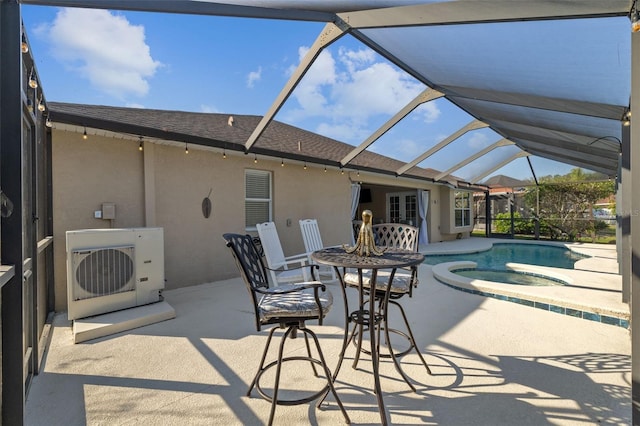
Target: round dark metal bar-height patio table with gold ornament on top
{"x":372,"y":316}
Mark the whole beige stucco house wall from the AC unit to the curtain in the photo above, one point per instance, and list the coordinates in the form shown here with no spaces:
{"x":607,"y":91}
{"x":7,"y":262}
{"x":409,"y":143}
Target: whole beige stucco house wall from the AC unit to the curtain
{"x":173,"y":184}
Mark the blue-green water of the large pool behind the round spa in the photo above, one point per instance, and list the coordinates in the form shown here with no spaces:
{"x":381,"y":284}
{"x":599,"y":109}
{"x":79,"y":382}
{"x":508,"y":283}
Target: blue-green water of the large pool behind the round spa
{"x":500,"y":254}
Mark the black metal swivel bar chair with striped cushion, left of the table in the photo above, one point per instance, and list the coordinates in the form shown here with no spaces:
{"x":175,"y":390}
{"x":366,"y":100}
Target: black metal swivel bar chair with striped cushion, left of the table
{"x":285,"y":307}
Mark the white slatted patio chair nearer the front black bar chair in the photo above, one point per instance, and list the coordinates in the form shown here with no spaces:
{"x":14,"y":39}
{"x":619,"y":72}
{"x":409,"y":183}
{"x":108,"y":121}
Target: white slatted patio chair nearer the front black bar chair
{"x":282,"y":269}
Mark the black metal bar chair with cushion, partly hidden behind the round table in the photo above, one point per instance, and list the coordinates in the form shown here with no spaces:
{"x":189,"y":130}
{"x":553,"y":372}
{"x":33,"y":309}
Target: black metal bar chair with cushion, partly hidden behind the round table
{"x":397,"y":236}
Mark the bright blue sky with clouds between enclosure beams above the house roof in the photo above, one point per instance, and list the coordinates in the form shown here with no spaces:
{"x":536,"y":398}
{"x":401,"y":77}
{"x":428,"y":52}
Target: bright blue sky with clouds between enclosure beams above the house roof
{"x":238,"y":66}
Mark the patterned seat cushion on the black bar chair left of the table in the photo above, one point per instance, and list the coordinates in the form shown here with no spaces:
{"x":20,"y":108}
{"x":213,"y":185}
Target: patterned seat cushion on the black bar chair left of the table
{"x":298,"y":304}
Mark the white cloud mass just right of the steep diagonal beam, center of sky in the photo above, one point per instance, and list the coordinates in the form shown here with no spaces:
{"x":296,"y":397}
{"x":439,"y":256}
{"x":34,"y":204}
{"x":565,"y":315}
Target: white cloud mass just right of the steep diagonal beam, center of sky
{"x":346,"y":91}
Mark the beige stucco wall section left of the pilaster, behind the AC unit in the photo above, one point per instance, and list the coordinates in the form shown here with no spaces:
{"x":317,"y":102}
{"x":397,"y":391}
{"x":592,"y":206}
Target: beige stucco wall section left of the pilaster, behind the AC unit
{"x":87,"y":173}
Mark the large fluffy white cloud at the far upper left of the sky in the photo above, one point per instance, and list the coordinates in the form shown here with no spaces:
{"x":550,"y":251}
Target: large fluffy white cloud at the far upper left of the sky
{"x":105,"y":49}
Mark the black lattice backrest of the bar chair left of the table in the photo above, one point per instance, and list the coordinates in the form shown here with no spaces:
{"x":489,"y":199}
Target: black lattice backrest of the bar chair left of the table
{"x":250,"y":264}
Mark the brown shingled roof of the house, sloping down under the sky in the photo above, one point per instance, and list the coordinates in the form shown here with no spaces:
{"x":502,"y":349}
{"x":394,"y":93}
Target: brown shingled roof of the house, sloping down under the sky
{"x":279,"y":140}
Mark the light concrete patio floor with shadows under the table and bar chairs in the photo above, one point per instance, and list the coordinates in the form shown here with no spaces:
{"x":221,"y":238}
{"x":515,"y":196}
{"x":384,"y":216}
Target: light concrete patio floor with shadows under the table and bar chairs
{"x":494,"y":363}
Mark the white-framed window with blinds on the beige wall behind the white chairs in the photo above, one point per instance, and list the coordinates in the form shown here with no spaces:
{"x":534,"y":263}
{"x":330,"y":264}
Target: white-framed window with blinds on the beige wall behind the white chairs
{"x":257,"y":198}
